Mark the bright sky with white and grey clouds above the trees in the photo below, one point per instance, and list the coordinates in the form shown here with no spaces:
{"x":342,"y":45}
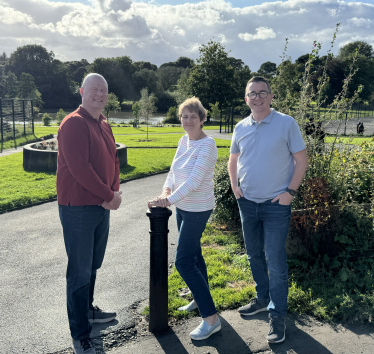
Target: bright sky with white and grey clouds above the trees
{"x":163,"y":30}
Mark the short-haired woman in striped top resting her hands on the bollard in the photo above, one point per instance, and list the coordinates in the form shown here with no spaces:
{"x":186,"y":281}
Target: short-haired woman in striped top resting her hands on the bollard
{"x":189,"y":186}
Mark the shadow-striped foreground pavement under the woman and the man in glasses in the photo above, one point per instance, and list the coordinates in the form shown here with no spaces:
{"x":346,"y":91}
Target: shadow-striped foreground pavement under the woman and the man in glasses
{"x":247,"y":335}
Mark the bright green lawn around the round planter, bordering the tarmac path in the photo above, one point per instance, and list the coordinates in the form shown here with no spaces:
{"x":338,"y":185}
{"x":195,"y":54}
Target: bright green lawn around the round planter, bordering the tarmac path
{"x":19,"y":188}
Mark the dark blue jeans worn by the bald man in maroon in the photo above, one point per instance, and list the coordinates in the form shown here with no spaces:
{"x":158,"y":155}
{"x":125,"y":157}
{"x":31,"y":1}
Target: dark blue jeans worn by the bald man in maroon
{"x":86,"y":230}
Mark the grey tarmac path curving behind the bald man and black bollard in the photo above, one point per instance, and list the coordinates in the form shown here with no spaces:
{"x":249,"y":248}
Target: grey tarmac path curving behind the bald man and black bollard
{"x":33,"y":265}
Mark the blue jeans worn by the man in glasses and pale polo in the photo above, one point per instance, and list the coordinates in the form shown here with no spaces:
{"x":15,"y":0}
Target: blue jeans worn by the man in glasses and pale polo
{"x":265,"y":227}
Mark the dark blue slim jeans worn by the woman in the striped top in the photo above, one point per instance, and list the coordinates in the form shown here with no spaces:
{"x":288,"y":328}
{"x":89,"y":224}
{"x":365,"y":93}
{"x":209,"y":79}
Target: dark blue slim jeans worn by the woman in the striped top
{"x":189,"y":260}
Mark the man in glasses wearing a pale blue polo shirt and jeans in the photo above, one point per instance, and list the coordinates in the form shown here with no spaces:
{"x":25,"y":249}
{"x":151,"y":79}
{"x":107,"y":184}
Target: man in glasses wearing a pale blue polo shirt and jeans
{"x":269,"y":158}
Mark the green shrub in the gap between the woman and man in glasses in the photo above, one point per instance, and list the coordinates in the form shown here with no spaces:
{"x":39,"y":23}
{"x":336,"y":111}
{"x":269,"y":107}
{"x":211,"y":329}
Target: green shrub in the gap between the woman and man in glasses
{"x":226,"y":210}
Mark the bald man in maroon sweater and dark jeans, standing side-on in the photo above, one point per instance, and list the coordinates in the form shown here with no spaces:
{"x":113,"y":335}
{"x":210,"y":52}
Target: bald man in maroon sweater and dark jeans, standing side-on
{"x":87,"y":189}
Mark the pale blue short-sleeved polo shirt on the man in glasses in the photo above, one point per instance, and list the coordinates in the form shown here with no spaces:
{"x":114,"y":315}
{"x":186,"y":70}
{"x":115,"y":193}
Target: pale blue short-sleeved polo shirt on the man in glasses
{"x":266,"y":164}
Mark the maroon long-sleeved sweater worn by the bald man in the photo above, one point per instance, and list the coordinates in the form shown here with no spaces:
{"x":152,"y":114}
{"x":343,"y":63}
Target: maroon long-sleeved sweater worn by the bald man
{"x":87,"y":162}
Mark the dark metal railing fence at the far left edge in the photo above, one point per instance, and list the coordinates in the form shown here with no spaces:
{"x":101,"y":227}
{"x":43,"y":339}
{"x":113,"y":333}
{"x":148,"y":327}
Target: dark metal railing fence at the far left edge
{"x":16,"y":118}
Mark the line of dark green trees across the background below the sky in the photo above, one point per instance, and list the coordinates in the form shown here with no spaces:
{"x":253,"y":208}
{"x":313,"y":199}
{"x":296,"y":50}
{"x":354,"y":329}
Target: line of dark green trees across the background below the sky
{"x":215,"y":77}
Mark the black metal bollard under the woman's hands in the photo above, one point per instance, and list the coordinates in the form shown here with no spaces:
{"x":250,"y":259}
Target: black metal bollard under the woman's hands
{"x":158,"y":280}
